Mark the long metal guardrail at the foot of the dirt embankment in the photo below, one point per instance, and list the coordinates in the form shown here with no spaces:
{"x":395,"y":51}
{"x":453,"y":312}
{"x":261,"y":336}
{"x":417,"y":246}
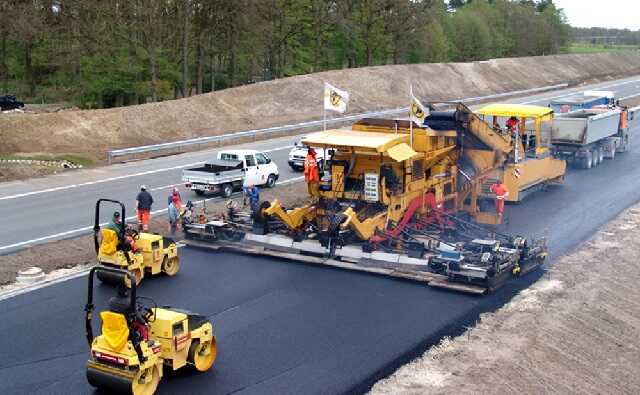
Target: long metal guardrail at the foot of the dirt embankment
{"x":303,"y":125}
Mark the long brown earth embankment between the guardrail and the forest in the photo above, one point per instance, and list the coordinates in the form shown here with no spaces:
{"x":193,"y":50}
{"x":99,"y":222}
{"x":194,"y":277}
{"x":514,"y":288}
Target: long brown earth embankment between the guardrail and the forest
{"x":90,"y":133}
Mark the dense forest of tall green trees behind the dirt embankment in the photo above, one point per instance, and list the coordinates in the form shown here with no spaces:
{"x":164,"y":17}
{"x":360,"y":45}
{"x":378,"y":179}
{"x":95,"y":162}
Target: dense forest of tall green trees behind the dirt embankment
{"x":105,"y":53}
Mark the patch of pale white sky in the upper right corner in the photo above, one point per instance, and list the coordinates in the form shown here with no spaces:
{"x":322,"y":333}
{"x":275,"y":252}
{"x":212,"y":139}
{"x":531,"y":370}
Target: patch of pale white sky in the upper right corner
{"x":620,"y":14}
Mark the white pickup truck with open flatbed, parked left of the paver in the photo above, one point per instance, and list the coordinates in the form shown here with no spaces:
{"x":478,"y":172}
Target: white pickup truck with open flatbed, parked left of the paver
{"x":230,"y":171}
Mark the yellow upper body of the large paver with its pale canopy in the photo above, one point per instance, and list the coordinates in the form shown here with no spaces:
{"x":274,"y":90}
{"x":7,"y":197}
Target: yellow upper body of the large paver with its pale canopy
{"x":427,"y":166}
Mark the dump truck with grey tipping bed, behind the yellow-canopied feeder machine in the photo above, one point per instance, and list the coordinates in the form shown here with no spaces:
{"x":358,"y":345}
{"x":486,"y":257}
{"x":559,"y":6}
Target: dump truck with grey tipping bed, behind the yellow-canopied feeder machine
{"x":588,"y":136}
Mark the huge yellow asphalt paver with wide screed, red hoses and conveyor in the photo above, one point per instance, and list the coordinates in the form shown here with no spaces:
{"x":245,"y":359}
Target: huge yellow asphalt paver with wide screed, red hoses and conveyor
{"x":389,"y":201}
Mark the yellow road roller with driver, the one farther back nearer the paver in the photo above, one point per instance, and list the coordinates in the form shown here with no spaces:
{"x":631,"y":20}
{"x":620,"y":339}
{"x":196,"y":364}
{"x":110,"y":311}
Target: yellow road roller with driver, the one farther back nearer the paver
{"x":123,"y":247}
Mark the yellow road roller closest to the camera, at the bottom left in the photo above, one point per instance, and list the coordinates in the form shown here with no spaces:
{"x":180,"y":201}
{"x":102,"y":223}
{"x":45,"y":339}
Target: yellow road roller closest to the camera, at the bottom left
{"x":138,"y":340}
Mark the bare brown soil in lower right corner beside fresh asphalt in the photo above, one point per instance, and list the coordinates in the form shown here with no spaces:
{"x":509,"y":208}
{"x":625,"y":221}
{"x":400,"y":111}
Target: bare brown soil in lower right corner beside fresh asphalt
{"x":575,"y":332}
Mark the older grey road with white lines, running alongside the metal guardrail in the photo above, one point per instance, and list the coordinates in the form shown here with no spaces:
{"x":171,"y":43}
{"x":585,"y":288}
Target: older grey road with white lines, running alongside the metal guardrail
{"x":45,"y":209}
